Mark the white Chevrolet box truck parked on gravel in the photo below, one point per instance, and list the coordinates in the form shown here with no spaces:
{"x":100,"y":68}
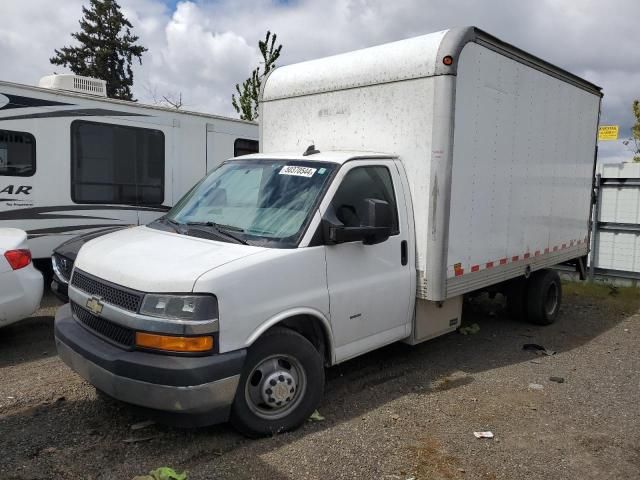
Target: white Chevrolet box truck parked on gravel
{"x":392,"y":181}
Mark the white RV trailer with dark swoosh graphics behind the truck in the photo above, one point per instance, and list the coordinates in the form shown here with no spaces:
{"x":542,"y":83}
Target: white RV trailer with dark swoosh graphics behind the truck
{"x":72,"y":160}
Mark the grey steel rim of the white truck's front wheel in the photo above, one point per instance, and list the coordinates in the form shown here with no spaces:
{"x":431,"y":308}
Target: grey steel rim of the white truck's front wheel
{"x":275,"y":387}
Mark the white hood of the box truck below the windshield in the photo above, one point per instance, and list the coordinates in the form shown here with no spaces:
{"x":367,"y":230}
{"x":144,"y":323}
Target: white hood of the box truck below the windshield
{"x":151,"y":260}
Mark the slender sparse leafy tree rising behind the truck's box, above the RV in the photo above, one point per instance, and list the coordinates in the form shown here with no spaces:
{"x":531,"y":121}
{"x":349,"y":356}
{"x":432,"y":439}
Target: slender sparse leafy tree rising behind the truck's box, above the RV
{"x":246,"y":103}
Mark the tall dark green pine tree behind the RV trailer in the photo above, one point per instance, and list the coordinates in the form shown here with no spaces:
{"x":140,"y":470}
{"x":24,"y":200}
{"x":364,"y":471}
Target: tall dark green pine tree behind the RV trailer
{"x":107,"y":48}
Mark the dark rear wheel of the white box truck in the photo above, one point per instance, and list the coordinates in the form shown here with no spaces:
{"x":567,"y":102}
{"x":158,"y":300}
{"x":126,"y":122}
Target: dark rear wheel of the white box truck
{"x":544,"y":297}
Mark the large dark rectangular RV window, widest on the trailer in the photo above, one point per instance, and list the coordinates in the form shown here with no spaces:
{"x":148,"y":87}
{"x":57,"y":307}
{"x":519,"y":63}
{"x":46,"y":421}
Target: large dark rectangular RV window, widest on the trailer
{"x":116,"y":164}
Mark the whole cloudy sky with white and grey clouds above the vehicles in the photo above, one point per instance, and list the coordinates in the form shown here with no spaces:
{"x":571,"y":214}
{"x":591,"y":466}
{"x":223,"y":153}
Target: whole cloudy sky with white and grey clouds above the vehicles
{"x":203,"y":48}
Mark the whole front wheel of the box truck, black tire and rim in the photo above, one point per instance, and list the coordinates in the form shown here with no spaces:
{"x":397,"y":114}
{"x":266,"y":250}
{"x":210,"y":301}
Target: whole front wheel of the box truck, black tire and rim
{"x":281,"y":385}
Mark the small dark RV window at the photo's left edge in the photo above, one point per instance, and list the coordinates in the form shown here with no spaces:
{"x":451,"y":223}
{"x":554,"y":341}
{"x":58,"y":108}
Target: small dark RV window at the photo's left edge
{"x":17,"y":154}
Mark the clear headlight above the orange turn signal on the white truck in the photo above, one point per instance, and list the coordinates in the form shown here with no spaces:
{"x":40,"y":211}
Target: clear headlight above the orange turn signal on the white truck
{"x":180,"y":307}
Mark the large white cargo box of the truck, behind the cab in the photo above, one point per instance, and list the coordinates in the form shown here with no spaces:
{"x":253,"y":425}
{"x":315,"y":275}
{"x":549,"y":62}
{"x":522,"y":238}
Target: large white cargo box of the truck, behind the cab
{"x":499,"y":147}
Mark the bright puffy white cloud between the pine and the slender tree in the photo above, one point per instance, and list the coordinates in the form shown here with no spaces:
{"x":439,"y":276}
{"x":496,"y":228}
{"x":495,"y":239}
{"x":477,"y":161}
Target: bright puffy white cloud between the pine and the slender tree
{"x":189,"y":54}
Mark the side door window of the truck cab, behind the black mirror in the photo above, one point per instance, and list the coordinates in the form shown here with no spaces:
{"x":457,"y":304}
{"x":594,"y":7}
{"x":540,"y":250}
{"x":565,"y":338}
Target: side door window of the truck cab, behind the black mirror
{"x":358,"y":185}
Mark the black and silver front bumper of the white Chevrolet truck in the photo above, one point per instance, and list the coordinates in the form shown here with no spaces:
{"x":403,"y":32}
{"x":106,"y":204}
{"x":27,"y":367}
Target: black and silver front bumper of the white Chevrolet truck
{"x":177,"y":384}
